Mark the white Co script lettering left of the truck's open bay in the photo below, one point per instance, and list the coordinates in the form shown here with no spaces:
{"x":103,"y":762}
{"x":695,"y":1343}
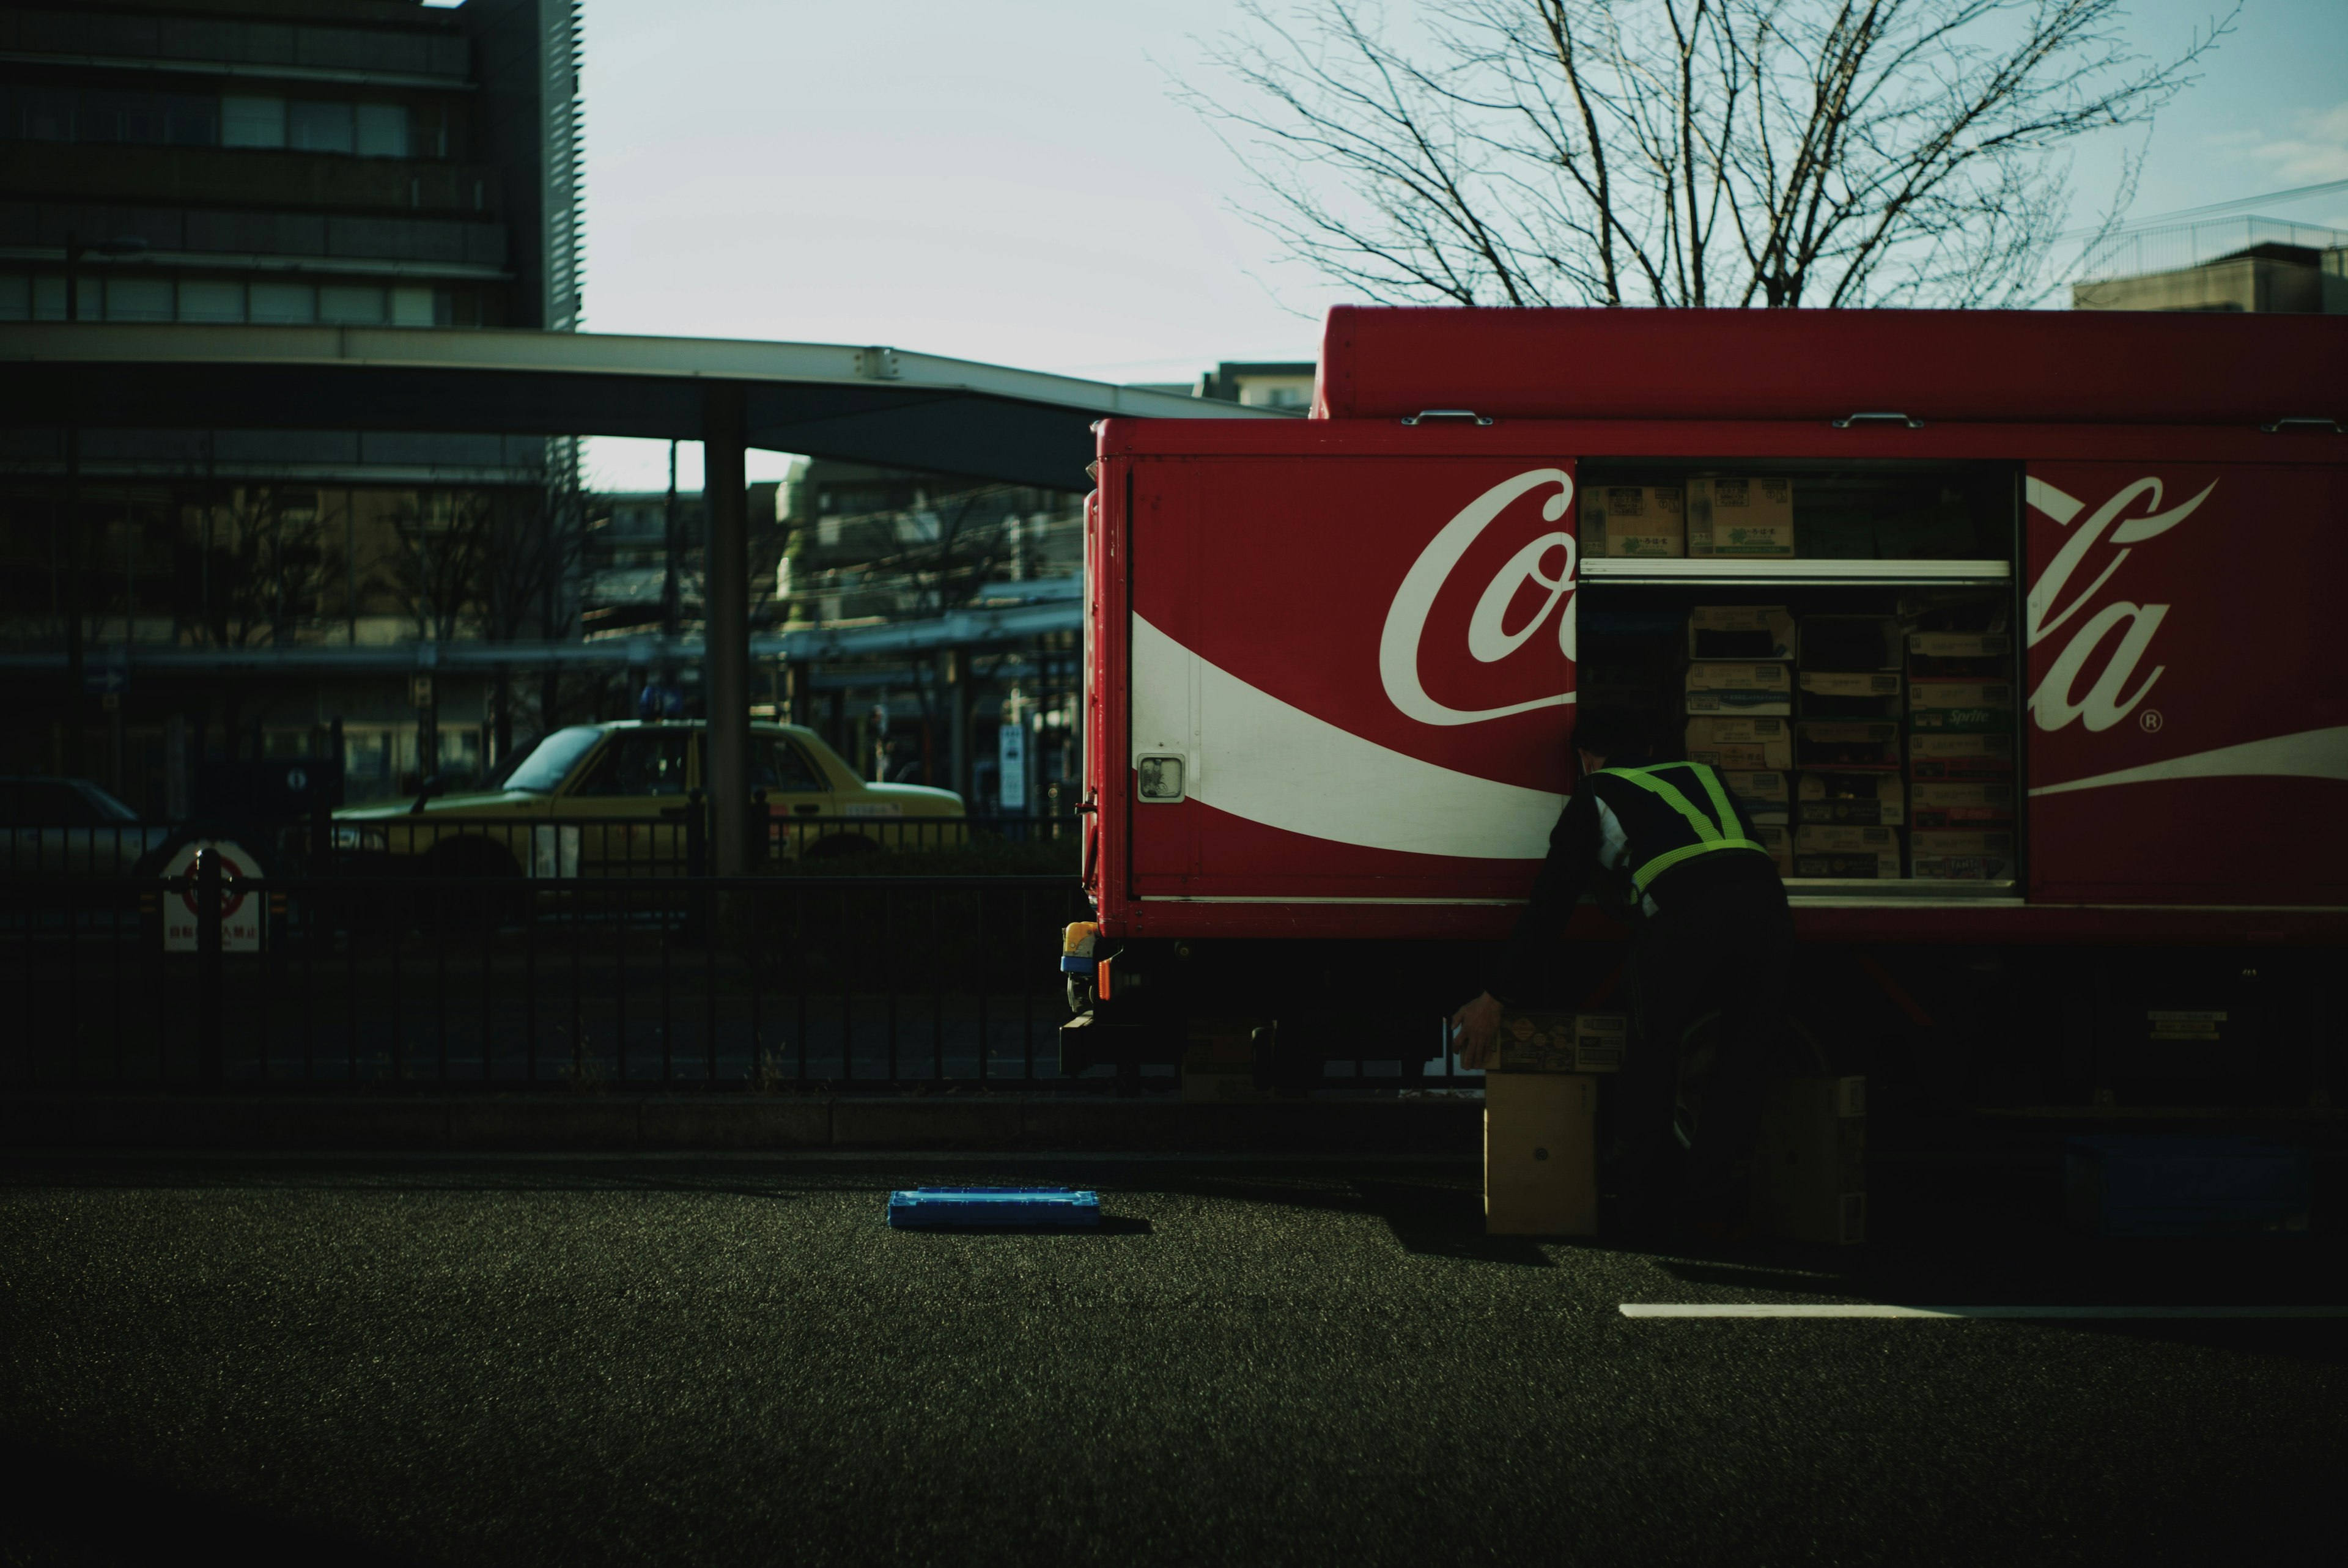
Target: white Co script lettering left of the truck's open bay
{"x":1544,"y":567}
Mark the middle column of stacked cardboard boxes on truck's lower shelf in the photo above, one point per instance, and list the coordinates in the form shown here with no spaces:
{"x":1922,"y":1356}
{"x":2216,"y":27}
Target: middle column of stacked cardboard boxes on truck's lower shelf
{"x":1849,"y":806}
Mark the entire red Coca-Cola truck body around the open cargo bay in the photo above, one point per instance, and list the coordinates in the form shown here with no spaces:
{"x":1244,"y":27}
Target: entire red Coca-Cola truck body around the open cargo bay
{"x":1332,"y":665}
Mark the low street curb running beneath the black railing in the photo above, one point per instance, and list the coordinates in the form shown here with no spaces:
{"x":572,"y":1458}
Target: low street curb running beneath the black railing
{"x":598,"y":1123}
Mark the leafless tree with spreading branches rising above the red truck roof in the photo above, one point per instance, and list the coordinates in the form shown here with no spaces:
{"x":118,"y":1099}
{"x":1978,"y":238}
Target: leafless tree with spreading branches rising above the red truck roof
{"x":1682,"y":151}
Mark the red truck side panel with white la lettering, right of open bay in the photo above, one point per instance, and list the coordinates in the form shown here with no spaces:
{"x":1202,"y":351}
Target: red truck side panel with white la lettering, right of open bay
{"x":2187,"y":710}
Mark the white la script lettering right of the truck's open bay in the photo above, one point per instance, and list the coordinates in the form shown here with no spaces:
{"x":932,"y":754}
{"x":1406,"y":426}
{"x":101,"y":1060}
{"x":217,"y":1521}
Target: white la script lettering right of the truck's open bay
{"x":2077,"y":687}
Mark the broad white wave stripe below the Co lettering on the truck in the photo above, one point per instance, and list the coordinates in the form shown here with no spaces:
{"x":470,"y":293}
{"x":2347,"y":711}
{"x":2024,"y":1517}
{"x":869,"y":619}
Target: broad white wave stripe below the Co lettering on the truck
{"x":1257,"y":757}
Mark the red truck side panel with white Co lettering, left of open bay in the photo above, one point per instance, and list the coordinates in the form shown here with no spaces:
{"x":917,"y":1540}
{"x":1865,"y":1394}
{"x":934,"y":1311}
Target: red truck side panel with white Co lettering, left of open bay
{"x":1349,"y":687}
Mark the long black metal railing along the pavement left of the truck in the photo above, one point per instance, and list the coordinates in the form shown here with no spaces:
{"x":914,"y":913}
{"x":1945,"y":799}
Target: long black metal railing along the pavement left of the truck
{"x":497,"y":982}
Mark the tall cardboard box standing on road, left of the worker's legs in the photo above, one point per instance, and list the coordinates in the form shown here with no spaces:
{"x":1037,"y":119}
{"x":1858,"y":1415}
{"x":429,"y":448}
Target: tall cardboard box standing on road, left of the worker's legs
{"x":1541,"y":1154}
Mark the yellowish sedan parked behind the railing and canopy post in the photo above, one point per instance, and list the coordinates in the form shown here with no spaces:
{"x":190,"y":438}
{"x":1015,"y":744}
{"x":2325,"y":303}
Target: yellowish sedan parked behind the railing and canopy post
{"x":614,"y":799}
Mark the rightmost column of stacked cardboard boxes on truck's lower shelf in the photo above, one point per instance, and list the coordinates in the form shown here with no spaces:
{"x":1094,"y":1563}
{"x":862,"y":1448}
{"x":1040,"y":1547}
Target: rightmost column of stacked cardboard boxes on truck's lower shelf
{"x":1962,"y":755}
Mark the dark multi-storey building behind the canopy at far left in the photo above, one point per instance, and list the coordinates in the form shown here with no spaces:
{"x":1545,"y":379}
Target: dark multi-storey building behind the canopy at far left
{"x":276,"y":163}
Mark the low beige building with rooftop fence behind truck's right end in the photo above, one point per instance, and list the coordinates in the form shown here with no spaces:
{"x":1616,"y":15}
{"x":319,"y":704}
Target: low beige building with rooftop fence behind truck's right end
{"x":2272,"y":269}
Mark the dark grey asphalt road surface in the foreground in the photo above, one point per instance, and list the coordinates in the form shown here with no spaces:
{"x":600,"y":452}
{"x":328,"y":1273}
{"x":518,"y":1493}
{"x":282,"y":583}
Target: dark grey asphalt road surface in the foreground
{"x":736,"y":1363}
